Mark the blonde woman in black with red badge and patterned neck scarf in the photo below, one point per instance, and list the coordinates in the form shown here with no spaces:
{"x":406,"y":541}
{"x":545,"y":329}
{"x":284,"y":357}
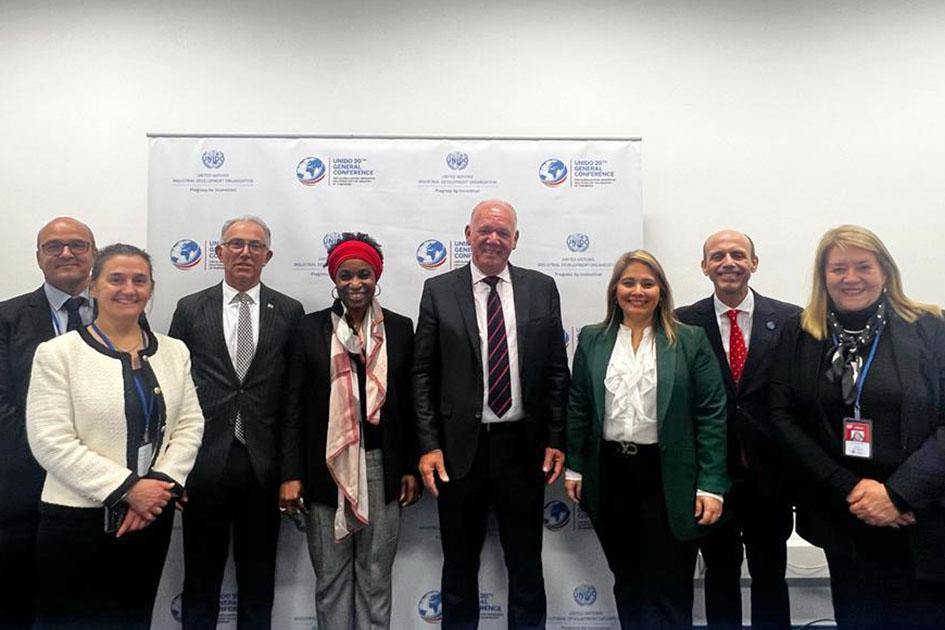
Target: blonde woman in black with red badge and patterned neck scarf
{"x":857,"y":396}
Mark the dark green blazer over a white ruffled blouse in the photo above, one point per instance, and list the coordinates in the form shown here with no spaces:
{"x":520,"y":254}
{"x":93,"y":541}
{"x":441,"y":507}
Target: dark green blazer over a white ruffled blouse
{"x":691,"y":420}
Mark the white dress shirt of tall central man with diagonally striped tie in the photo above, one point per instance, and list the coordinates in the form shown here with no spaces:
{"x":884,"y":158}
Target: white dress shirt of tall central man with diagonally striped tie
{"x":481,"y":296}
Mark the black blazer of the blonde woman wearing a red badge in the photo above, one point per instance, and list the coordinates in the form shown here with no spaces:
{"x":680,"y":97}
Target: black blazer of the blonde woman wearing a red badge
{"x":815,"y":441}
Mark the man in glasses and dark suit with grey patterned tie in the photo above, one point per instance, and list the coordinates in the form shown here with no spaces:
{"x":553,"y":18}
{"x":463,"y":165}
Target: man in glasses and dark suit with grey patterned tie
{"x":237,"y":333}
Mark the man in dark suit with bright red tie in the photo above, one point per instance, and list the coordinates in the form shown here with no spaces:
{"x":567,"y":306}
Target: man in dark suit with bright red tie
{"x":743,"y":328}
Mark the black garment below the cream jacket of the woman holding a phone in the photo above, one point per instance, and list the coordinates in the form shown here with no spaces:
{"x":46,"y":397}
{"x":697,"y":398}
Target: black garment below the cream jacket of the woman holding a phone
{"x":90,"y":580}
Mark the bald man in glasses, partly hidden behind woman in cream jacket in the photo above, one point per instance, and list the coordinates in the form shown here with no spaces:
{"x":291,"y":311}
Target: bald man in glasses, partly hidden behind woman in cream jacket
{"x":64,"y":251}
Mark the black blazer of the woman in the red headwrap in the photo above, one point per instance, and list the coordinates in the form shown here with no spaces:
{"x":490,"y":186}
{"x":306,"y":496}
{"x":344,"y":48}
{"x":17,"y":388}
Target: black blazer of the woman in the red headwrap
{"x":305,"y":426}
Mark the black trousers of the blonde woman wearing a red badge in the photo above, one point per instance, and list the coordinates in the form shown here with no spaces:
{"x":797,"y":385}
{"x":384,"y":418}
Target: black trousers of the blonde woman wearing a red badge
{"x":876,"y":588}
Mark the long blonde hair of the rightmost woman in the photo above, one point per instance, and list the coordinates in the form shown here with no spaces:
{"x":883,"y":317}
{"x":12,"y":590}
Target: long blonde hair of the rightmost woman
{"x":814,"y":317}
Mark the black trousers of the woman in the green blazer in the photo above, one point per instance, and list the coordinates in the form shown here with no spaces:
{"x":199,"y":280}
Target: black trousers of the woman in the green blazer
{"x":653,"y":572}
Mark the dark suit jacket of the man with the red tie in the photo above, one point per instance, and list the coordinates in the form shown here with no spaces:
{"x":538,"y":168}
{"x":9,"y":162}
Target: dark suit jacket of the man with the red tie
{"x":749,"y":425}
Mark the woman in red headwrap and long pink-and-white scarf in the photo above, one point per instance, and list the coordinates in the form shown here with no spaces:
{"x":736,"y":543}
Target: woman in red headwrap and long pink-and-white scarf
{"x":348,"y":456}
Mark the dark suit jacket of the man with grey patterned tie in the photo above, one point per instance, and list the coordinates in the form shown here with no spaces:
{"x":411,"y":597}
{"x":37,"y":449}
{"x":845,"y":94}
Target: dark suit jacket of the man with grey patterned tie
{"x":198,"y":322}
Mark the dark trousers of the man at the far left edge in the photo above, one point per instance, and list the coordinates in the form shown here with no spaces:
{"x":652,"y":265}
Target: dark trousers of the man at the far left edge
{"x":17,"y":562}
